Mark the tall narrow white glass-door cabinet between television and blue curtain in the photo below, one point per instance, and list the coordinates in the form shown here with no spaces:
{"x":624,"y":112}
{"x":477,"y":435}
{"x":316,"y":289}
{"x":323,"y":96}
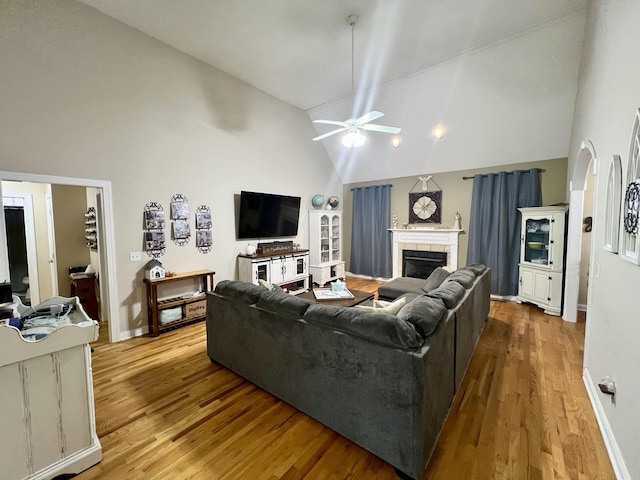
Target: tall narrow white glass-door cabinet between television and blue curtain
{"x":325,"y":246}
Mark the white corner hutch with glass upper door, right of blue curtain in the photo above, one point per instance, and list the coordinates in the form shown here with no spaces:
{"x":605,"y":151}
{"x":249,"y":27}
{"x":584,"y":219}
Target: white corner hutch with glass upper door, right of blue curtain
{"x":542,"y":250}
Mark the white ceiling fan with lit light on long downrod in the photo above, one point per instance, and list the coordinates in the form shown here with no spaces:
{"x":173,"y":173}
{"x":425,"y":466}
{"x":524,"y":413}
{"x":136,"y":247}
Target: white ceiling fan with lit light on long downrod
{"x":354,"y":126}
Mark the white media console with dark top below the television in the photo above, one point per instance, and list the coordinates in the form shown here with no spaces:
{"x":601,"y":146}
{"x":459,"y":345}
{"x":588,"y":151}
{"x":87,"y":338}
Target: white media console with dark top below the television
{"x":289,"y":270}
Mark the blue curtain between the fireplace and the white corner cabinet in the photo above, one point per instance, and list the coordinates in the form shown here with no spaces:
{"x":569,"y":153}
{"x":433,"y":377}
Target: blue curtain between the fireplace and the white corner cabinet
{"x":494,"y":224}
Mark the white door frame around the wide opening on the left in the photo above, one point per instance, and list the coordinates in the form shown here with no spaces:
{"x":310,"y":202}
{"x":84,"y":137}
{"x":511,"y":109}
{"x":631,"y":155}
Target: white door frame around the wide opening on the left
{"x":108,"y":270}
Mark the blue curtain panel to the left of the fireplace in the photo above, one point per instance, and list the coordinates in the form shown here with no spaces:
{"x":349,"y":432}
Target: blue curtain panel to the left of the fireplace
{"x":370,"y":236}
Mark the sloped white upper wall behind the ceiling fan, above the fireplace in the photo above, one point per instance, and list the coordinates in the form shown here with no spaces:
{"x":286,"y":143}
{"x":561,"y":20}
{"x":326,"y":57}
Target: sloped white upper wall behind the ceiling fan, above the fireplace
{"x":509,"y":103}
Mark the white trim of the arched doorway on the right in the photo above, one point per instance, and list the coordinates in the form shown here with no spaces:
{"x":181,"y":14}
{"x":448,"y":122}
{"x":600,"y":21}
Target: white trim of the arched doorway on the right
{"x":577,"y":186}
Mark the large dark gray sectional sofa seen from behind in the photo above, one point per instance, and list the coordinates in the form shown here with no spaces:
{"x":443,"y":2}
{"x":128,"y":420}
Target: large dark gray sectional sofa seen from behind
{"x":385,"y":382}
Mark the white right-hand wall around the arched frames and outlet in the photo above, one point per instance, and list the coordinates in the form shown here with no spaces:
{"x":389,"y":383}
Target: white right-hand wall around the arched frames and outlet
{"x":607,"y":100}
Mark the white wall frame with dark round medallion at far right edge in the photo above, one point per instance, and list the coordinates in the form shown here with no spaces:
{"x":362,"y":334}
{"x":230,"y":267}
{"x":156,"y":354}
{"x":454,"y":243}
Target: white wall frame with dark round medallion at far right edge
{"x":630,"y":242}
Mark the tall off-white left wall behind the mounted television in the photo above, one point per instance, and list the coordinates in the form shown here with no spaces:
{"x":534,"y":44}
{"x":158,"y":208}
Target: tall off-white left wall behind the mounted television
{"x":85,"y":96}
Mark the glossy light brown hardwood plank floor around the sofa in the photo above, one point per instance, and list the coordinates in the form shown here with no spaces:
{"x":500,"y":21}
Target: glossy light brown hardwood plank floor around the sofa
{"x":164,"y":411}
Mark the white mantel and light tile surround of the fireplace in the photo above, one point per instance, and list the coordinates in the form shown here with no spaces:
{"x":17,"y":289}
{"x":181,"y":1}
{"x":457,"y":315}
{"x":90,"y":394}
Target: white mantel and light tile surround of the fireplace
{"x":427,"y":240}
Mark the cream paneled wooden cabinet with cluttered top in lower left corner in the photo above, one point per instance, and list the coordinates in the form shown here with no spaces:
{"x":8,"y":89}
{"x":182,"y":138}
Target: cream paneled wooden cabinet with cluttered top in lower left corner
{"x":47,"y":415}
